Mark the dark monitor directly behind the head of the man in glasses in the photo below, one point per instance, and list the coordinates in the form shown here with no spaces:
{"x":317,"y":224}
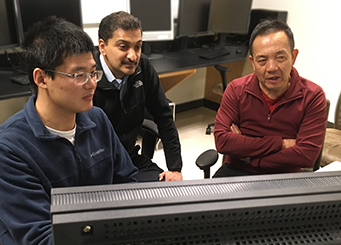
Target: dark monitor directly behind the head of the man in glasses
{"x":35,"y":10}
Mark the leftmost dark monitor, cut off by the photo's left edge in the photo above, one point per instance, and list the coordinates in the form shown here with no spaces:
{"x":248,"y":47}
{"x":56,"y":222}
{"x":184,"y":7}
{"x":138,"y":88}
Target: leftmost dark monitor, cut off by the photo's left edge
{"x":9,"y":36}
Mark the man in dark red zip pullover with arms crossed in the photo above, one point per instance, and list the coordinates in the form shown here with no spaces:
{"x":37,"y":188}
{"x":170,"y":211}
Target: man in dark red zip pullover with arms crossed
{"x":271,"y":121}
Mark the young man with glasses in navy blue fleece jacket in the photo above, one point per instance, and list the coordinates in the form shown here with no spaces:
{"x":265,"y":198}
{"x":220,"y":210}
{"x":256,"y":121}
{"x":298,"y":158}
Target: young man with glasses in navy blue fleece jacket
{"x":59,"y":139}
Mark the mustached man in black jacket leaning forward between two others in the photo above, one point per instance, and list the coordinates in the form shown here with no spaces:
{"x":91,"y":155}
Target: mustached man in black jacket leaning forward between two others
{"x":129,"y":85}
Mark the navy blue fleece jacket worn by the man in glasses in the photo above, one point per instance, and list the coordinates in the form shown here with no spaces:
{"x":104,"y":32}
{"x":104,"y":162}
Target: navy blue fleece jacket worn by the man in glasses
{"x":32,"y":161}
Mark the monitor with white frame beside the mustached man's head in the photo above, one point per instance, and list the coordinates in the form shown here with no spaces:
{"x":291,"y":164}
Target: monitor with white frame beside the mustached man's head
{"x":156,"y":17}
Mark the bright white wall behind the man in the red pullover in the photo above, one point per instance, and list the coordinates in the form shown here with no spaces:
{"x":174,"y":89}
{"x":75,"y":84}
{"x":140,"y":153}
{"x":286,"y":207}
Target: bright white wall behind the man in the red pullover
{"x":315,"y":24}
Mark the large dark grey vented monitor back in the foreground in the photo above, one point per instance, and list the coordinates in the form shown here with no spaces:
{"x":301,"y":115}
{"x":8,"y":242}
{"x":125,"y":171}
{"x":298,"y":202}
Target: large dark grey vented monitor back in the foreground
{"x":300,"y":208}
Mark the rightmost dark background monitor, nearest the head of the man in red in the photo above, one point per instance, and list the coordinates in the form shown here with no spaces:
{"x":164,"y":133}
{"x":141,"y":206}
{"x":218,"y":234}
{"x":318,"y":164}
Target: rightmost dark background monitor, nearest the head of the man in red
{"x":229,"y":16}
